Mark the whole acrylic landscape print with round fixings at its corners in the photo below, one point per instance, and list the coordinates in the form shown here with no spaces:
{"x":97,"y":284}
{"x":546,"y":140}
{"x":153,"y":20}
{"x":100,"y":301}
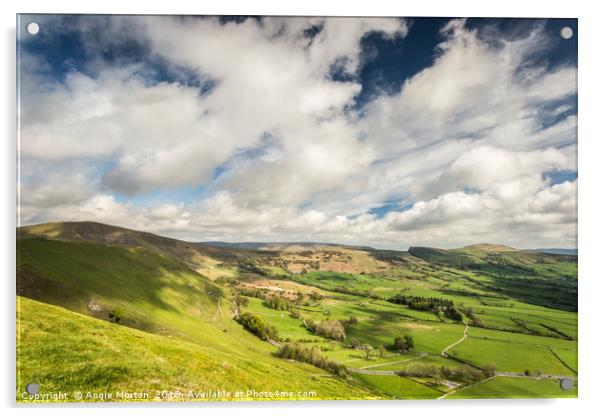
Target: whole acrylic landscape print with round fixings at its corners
{"x":241,"y":208}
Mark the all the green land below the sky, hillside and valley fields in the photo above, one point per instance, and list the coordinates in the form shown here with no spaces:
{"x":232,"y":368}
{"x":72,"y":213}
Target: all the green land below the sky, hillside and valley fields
{"x":348,"y":323}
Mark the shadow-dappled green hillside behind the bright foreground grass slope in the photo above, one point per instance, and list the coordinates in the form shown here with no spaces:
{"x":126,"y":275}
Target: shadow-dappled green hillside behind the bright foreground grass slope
{"x":158,"y":295}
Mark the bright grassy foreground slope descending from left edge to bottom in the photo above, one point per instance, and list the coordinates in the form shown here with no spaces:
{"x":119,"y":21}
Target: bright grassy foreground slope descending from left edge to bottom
{"x":66,"y":351}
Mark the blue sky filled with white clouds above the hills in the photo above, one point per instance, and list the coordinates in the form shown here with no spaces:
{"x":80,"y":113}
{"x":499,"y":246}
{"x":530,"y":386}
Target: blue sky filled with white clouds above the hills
{"x":388,"y":132}
